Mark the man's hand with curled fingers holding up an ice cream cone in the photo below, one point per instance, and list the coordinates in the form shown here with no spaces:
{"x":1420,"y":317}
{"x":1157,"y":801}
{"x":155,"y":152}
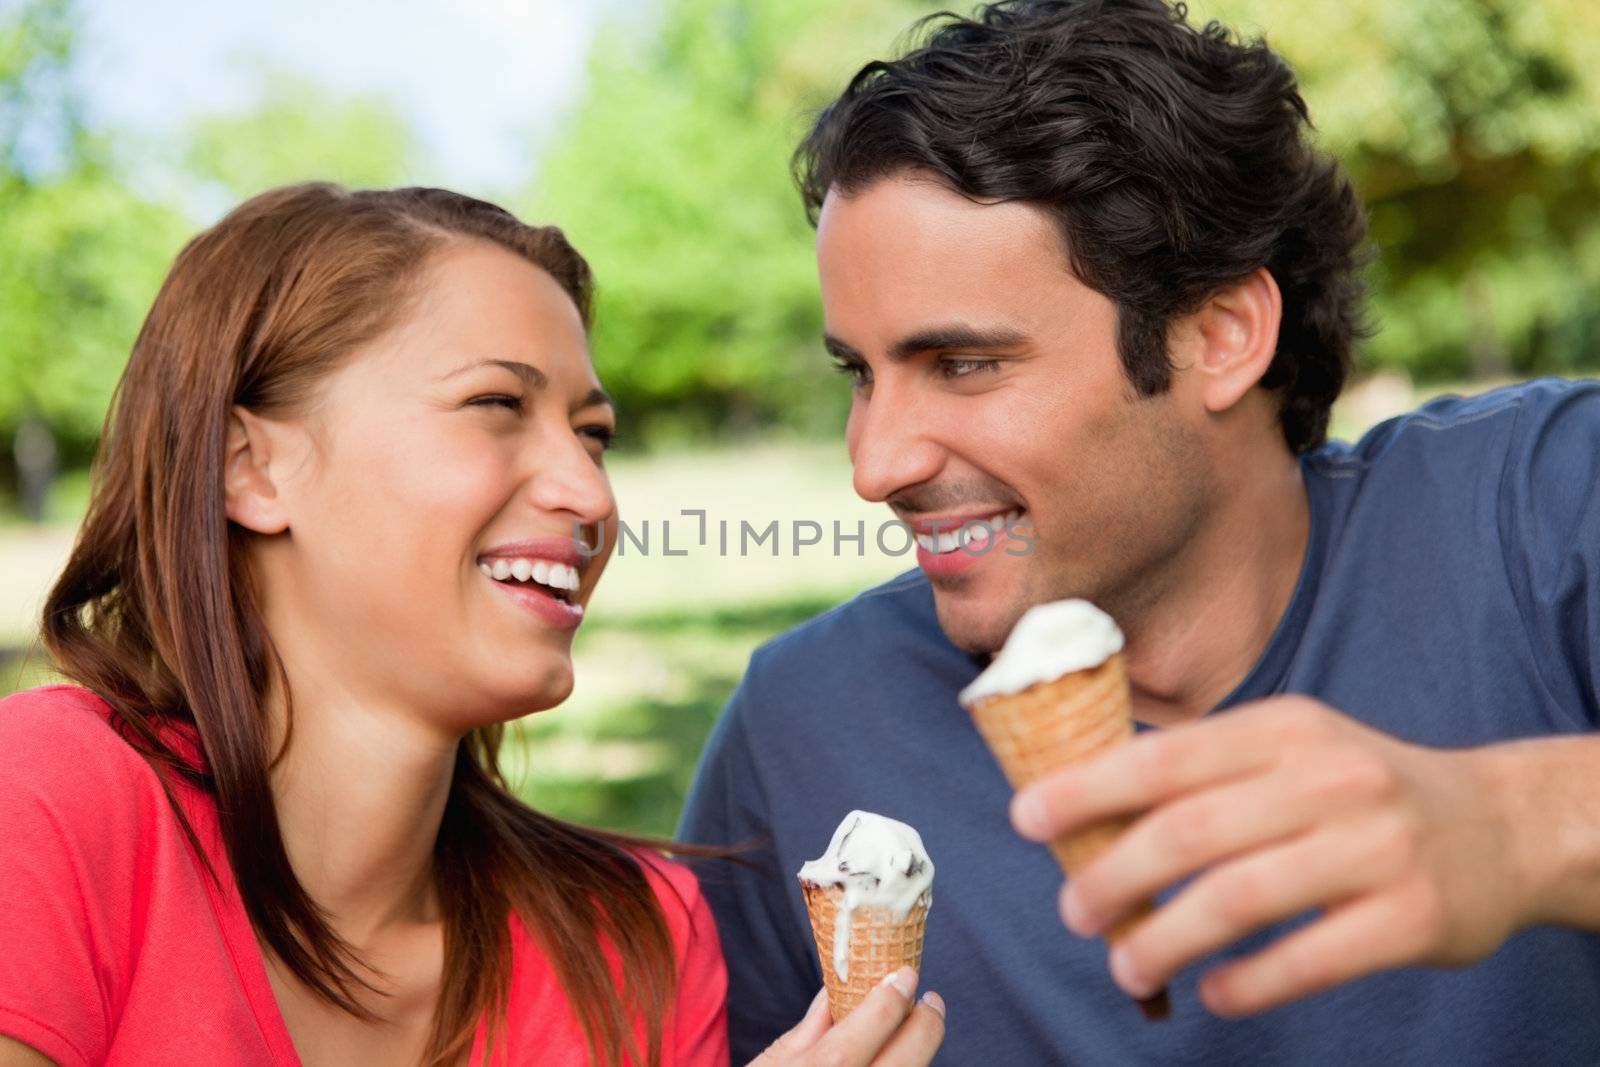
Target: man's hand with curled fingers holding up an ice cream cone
{"x":1284,"y":807}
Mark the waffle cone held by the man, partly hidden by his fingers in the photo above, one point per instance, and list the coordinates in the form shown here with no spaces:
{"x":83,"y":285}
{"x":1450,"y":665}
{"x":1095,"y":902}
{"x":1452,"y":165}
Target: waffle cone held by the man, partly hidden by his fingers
{"x":1054,"y":725}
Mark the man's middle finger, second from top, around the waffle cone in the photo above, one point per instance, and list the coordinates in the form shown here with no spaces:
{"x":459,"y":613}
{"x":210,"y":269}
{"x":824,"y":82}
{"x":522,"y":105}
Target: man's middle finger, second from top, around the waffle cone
{"x":1183,"y":837}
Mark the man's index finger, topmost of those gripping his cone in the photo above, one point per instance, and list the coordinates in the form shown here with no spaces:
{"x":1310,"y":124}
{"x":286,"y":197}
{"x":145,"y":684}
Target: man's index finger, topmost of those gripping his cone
{"x":1143,"y":773}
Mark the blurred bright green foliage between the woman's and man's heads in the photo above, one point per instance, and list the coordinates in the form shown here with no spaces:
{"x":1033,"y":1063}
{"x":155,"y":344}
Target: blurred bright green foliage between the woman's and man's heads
{"x":674,"y":180}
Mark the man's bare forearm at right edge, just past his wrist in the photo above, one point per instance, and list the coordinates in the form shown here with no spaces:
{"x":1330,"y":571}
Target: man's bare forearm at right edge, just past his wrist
{"x":1550,"y":791}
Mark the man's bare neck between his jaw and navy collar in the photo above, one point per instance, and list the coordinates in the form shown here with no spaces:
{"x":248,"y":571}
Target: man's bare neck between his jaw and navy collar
{"x":1226,"y":596}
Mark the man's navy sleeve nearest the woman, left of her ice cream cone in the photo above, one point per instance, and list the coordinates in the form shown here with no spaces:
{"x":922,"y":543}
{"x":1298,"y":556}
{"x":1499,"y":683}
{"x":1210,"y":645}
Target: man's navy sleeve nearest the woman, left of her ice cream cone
{"x":772,"y":978}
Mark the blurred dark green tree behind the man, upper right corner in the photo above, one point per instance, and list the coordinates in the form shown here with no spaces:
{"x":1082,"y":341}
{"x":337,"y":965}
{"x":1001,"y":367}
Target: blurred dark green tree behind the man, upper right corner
{"x":1473,"y":130}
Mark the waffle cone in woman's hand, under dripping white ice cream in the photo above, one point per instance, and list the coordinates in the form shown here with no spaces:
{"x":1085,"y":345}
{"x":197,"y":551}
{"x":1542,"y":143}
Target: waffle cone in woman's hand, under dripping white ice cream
{"x":879,"y":945}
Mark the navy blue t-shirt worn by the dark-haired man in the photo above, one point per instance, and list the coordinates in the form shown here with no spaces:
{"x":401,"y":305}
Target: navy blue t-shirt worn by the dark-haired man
{"x":1450,"y":596}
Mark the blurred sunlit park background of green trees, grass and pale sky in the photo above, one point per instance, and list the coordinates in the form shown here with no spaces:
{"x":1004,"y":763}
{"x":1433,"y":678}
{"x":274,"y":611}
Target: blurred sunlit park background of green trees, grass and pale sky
{"x":658,"y":134}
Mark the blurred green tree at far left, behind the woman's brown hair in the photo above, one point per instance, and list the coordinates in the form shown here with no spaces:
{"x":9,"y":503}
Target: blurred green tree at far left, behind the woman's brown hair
{"x":81,"y":260}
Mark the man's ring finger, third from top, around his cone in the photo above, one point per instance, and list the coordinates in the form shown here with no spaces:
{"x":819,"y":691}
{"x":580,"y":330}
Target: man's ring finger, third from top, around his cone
{"x":1239,"y":898}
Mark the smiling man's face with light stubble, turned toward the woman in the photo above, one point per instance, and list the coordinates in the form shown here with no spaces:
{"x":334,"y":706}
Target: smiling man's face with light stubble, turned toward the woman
{"x":988,"y":390}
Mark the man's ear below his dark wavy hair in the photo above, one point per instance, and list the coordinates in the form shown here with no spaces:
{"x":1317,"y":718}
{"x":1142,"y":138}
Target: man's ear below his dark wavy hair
{"x":1236,"y":335}
